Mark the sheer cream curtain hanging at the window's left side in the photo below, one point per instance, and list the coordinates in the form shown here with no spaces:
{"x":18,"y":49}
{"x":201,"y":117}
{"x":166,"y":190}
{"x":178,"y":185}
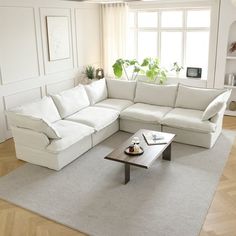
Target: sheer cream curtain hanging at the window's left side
{"x":114,"y":32}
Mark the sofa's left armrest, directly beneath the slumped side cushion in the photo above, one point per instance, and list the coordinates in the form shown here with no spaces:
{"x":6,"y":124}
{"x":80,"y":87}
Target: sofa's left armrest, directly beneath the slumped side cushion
{"x":29,"y":138}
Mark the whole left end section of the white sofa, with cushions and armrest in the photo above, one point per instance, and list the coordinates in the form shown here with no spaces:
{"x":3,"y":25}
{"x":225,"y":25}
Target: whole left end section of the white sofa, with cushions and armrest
{"x":41,"y":137}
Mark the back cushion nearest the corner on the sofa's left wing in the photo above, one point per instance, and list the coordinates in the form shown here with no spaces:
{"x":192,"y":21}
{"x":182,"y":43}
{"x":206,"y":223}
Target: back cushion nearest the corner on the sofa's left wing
{"x":97,"y":91}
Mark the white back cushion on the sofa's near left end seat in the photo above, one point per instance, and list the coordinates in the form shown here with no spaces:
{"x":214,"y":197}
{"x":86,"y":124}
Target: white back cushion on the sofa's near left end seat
{"x":45,"y":109}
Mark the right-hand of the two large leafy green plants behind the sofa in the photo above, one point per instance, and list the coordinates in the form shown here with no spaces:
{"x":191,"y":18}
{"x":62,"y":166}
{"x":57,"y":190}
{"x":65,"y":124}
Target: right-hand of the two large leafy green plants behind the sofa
{"x":153,"y":71}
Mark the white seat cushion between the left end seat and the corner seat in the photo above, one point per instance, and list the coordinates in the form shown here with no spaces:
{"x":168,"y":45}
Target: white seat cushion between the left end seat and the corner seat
{"x":96,"y":117}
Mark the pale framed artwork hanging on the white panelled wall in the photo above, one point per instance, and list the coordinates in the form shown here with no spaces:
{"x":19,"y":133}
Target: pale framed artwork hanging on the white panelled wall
{"x":58,"y":37}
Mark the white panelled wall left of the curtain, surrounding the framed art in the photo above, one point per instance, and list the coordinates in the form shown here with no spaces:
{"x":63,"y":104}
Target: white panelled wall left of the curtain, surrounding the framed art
{"x":26,"y":74}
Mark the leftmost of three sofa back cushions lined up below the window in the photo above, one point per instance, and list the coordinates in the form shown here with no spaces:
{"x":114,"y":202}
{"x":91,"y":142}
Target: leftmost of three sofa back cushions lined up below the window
{"x":121,"y":89}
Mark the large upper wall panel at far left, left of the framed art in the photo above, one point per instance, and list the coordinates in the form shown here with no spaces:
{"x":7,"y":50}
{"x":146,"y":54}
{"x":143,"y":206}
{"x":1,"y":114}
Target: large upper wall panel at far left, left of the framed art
{"x":18,"y":45}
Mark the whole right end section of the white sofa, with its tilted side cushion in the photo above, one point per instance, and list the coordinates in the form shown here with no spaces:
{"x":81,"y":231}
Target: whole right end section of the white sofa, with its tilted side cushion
{"x":187,"y":120}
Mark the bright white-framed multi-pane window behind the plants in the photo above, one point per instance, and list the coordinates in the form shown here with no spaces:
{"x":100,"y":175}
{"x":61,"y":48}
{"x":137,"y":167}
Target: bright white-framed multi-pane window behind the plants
{"x":173,"y":35}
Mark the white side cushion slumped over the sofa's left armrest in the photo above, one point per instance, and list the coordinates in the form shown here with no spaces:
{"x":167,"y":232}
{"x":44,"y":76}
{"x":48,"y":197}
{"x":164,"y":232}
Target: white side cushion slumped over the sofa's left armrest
{"x":33,"y":123}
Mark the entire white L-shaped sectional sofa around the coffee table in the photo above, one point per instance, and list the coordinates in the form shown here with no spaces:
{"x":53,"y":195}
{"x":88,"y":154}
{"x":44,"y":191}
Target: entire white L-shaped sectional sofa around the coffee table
{"x":61,"y":127}
